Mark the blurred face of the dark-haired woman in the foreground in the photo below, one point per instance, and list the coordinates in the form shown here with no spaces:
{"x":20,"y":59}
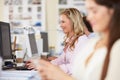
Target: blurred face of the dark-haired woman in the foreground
{"x":98,"y":16}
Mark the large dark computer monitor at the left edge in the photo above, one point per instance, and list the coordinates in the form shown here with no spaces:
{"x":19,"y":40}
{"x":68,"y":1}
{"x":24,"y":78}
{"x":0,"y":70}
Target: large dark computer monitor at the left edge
{"x":5,"y":41}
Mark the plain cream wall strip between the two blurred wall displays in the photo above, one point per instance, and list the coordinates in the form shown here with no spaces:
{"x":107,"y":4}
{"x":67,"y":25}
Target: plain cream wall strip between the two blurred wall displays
{"x":52,"y":20}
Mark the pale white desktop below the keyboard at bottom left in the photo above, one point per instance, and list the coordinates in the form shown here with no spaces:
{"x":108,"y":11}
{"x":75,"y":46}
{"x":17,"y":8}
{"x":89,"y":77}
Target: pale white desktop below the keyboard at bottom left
{"x":19,"y":75}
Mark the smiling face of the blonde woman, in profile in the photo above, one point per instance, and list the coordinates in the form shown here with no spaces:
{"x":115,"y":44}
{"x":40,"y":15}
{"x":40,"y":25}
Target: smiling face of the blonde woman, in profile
{"x":66,"y":24}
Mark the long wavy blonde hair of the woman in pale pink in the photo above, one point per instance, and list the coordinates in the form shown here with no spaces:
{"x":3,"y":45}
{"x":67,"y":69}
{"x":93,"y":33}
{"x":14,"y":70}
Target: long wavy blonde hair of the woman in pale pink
{"x":77,"y":22}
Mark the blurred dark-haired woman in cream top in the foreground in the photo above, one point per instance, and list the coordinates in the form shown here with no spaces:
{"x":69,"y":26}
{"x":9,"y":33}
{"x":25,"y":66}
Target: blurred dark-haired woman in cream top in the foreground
{"x":100,"y":58}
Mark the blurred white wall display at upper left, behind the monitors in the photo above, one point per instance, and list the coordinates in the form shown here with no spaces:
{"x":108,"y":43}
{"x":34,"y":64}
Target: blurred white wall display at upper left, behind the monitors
{"x":25,"y":13}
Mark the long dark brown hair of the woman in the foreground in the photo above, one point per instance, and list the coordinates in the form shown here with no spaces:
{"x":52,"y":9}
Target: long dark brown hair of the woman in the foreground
{"x":114,"y":29}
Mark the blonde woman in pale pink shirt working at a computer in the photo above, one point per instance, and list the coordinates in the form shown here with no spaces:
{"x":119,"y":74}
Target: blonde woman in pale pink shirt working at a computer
{"x":72,"y":24}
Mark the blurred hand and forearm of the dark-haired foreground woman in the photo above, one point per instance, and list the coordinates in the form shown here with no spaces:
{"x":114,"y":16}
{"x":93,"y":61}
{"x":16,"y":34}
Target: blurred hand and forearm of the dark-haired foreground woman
{"x":49,"y":71}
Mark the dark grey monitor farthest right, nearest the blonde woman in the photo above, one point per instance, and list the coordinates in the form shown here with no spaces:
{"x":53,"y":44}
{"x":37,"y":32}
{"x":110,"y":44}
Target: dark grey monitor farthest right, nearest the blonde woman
{"x":44,"y":36}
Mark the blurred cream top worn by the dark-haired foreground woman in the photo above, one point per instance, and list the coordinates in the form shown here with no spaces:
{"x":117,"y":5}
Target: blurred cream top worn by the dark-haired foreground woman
{"x":94,"y":68}
